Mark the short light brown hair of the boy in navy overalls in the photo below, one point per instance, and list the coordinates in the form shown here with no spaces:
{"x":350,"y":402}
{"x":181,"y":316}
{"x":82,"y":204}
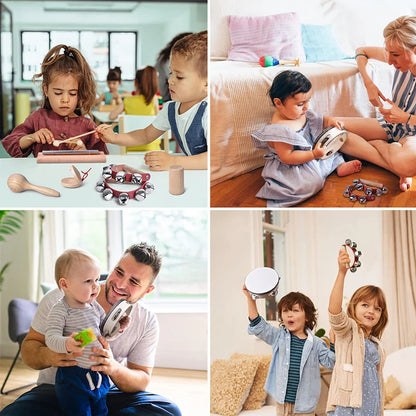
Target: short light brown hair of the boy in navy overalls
{"x":194,"y":48}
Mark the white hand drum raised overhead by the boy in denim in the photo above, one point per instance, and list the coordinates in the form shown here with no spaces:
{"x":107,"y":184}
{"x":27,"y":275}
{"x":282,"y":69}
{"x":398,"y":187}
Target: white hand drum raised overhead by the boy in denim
{"x":262,"y":282}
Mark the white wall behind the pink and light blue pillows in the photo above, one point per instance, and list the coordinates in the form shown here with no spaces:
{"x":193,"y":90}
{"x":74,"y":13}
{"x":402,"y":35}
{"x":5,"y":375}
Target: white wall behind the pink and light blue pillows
{"x":341,"y":14}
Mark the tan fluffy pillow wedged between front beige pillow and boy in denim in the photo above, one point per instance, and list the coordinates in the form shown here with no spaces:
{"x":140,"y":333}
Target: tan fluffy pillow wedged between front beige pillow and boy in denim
{"x":257,"y":395}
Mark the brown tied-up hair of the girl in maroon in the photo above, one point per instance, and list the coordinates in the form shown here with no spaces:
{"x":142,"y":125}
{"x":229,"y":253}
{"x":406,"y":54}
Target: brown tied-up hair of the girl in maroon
{"x":70,"y":62}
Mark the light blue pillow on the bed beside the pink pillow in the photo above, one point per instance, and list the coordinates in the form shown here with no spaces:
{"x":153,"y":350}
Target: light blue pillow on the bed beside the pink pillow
{"x":320,"y":45}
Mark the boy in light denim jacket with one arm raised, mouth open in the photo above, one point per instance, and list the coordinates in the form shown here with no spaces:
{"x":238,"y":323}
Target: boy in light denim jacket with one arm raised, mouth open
{"x":294,"y":375}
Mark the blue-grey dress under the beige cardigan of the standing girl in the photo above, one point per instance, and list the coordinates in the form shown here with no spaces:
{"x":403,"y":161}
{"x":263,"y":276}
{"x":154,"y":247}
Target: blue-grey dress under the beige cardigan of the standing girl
{"x":371,"y":387}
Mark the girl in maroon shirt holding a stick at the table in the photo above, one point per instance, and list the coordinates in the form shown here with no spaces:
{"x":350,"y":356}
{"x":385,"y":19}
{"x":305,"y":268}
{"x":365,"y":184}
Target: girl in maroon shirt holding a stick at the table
{"x":68,"y":95}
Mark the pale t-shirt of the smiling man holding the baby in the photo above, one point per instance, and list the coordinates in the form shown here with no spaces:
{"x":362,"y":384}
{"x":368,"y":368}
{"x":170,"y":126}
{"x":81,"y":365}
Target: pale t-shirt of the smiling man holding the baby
{"x":137,"y":344}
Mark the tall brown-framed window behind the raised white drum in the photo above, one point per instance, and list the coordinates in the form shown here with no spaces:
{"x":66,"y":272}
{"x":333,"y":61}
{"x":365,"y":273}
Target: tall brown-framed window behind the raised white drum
{"x":274,"y":253}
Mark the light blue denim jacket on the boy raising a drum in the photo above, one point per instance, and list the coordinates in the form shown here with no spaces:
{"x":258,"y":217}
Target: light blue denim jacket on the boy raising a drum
{"x":315,"y":352}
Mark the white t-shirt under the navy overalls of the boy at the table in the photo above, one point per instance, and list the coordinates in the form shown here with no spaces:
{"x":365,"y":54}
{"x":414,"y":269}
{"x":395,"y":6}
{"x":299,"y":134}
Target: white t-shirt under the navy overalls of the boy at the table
{"x":183,"y":121}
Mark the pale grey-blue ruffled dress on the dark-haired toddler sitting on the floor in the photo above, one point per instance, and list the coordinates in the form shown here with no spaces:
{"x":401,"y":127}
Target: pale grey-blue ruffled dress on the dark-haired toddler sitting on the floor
{"x":287,"y":185}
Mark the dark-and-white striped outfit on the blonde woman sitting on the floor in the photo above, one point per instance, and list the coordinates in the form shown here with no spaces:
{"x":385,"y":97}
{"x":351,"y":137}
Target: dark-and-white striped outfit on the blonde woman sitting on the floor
{"x":404,"y":96}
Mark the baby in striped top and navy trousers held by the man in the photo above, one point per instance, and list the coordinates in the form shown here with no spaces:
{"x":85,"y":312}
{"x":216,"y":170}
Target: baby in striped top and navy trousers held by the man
{"x":77,"y":274}
